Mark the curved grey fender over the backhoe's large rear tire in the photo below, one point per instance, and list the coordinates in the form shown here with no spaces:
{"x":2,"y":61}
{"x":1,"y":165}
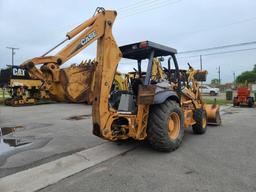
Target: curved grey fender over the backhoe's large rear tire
{"x":161,"y":96}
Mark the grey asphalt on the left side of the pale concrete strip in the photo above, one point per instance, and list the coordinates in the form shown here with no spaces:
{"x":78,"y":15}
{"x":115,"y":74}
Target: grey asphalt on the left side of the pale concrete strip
{"x":52,"y":130}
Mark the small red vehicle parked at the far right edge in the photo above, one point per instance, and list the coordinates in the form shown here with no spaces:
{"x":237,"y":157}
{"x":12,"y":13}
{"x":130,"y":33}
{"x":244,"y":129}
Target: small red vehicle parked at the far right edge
{"x":243,"y":97}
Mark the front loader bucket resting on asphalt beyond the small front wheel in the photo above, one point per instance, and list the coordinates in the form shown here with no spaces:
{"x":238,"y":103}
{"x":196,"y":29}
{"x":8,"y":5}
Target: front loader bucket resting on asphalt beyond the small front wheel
{"x":213,"y":114}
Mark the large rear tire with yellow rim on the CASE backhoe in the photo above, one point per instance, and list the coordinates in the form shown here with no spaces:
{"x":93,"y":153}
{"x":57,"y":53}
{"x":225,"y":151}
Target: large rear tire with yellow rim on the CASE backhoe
{"x":165,"y":126}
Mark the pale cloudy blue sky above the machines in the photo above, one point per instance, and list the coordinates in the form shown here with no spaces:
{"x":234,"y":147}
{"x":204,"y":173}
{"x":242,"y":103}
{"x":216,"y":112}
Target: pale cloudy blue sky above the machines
{"x":36,"y":26}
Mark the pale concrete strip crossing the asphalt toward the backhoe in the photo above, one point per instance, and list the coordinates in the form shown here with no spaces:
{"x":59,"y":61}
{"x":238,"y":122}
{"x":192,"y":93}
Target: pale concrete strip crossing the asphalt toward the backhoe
{"x":44,"y":175}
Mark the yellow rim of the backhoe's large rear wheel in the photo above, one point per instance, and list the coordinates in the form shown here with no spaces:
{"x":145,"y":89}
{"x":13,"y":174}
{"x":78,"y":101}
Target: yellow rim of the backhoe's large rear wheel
{"x":174,"y":125}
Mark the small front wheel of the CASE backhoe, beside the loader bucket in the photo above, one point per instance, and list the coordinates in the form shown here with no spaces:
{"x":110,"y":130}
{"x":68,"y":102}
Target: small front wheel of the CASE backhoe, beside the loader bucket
{"x":201,"y":121}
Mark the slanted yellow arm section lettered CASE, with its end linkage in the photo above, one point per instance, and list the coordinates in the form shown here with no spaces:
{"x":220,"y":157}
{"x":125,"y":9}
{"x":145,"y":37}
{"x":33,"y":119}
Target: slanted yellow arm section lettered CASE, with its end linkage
{"x":85,"y":34}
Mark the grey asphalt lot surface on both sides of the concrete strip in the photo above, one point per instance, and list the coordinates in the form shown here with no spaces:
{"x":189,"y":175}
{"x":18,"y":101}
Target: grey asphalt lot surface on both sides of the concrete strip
{"x":224,"y":159}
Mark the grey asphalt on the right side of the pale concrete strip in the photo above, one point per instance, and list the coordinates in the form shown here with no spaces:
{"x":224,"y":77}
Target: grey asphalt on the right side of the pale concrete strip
{"x":224,"y":159}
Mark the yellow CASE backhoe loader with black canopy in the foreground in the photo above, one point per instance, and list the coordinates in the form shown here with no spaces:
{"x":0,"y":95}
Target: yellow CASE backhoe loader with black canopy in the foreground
{"x":147,"y":109}
